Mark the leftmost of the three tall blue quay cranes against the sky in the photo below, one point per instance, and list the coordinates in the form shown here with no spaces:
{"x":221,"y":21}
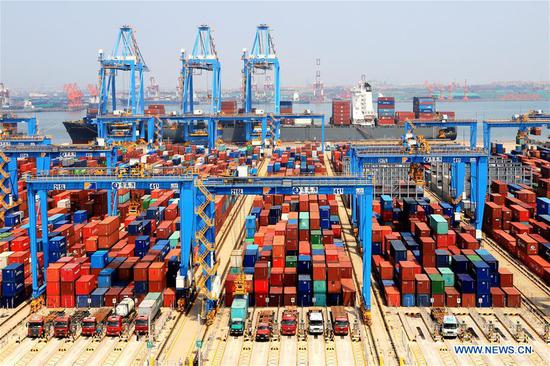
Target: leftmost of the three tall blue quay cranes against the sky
{"x":125,"y":56}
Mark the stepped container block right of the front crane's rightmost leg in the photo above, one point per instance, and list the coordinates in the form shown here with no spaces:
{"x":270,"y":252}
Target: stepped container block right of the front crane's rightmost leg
{"x":420,"y":260}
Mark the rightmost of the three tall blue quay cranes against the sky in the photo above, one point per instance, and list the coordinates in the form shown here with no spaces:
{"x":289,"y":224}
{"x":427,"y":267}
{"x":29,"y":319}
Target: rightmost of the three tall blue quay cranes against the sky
{"x":262,"y":57}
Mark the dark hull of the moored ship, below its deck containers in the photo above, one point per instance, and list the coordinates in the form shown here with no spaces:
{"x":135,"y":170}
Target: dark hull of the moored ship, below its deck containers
{"x":82,"y":133}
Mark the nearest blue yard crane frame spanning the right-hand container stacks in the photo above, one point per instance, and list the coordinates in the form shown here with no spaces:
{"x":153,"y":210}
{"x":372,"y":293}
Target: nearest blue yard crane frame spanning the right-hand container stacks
{"x":455,"y":155}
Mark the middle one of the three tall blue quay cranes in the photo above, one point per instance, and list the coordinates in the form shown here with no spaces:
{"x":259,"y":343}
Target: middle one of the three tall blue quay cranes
{"x":203,"y":57}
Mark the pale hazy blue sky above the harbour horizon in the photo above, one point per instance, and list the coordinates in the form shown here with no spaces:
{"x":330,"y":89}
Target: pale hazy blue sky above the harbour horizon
{"x":46,"y":44}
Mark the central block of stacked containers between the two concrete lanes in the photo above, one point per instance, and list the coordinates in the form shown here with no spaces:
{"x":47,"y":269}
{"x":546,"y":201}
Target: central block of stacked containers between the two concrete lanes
{"x":294,"y":254}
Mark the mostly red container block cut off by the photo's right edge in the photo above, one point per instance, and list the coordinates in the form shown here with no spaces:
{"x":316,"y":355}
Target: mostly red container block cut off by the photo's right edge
{"x":519,"y":221}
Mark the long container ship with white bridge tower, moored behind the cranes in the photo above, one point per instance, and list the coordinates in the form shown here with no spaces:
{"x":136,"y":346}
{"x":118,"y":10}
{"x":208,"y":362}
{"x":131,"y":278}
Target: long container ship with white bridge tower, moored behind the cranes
{"x":352,"y":120}
